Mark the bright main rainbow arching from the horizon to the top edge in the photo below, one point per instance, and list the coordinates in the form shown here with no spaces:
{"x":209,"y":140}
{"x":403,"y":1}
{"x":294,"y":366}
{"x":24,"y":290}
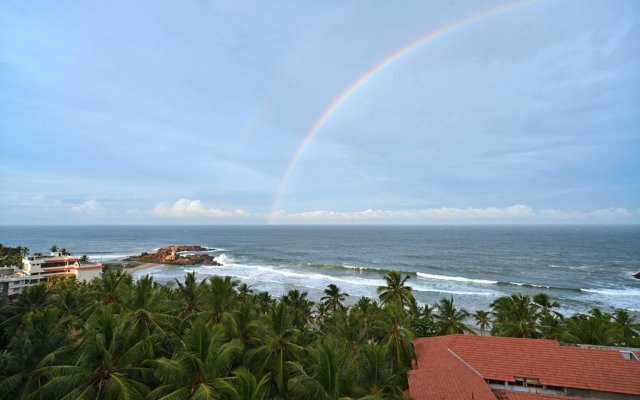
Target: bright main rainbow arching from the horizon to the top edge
{"x":358,"y":83}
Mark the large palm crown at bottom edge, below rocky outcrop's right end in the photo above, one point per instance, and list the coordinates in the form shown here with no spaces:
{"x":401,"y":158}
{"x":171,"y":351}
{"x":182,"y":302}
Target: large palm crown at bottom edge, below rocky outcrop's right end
{"x":194,"y":372}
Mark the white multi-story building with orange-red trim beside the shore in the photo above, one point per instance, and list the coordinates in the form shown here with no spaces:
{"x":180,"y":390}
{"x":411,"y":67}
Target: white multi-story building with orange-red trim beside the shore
{"x":38,"y":268}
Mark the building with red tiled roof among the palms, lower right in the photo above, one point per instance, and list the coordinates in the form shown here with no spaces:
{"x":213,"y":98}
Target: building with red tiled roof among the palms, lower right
{"x":490,"y":368}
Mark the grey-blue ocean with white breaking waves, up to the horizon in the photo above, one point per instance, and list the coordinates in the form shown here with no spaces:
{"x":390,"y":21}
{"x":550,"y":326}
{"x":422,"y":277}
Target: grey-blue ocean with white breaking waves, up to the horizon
{"x":580,"y":266}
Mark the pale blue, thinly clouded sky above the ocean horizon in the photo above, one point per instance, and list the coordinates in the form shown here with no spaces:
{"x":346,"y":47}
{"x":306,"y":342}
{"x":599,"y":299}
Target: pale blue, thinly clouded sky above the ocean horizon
{"x":161,"y":112}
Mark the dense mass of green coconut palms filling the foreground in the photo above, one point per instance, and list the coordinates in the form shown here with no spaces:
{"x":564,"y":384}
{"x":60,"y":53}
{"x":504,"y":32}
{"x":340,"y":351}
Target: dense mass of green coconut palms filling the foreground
{"x":115,"y":338}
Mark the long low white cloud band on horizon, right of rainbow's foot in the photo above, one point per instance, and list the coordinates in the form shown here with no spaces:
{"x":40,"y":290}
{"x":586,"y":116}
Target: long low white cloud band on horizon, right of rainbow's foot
{"x":442,"y":213}
